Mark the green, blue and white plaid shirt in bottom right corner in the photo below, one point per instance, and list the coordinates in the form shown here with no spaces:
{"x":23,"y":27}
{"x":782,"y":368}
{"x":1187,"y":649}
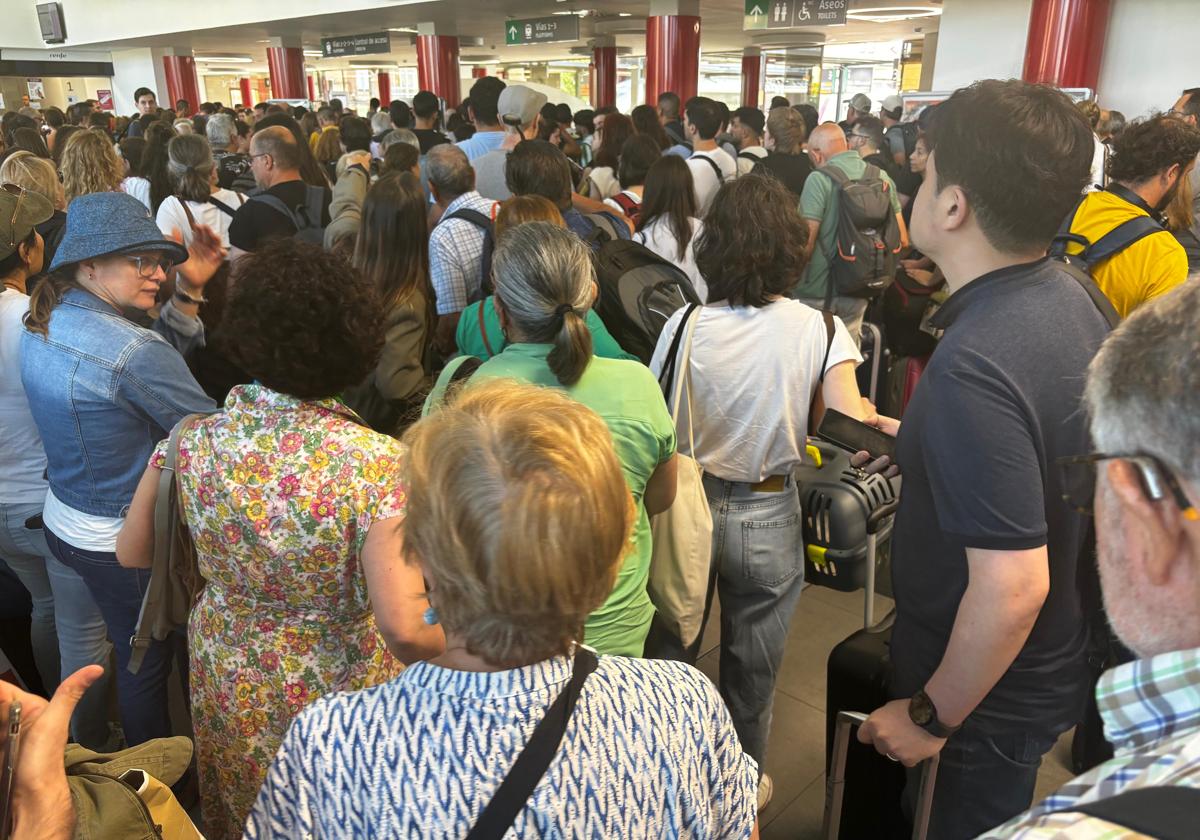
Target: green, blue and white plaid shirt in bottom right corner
{"x":1151,"y":712}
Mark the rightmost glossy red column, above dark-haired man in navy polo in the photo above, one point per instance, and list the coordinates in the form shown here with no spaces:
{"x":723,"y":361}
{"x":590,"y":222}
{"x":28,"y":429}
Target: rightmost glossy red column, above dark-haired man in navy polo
{"x":1066,"y":43}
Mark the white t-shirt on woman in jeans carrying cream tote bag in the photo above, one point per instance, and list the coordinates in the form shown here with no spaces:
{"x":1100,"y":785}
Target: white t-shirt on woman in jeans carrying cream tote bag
{"x":754,"y":371}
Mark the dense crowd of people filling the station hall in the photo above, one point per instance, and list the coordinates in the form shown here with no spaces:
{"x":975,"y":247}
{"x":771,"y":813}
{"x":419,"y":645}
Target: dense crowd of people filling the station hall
{"x":419,"y":471}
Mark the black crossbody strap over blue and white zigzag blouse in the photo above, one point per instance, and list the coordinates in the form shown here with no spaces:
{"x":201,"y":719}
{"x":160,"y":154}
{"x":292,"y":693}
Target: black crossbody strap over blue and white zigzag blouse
{"x":537,"y":757}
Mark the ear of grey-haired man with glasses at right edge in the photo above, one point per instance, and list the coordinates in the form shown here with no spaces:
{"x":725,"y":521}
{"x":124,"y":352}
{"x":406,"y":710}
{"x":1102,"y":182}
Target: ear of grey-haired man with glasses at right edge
{"x":1162,"y":541}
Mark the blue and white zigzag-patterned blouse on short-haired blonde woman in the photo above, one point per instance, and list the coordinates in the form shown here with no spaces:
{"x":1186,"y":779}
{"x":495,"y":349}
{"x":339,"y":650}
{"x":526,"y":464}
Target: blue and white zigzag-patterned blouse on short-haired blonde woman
{"x":650,"y":752}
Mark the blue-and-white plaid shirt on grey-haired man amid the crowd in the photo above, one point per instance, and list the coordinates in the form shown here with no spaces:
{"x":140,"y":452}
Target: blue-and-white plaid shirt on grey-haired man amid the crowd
{"x":457,"y":250}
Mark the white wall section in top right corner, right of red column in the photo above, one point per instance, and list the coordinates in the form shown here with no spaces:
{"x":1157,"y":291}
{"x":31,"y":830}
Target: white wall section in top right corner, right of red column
{"x":1150,"y":56}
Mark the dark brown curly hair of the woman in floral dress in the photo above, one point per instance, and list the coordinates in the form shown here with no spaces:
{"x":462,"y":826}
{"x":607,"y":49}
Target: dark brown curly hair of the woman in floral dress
{"x":302,"y":321}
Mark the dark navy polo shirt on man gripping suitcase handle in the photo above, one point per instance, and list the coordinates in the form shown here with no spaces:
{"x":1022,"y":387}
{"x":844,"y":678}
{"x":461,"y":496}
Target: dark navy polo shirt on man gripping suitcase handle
{"x":1000,"y":401}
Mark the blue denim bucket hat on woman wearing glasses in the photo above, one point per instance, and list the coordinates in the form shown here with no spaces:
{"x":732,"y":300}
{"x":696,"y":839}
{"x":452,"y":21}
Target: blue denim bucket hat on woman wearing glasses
{"x":107,"y":224}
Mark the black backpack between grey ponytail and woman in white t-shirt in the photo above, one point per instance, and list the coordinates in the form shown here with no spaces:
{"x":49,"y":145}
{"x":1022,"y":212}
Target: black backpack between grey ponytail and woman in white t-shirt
{"x":639,"y":293}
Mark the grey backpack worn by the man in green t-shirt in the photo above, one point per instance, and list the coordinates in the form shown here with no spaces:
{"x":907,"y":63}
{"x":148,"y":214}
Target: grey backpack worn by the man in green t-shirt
{"x":868,"y":239}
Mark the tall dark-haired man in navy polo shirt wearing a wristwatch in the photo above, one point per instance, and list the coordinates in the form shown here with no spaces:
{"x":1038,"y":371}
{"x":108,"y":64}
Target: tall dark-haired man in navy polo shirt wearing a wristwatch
{"x":989,"y":638}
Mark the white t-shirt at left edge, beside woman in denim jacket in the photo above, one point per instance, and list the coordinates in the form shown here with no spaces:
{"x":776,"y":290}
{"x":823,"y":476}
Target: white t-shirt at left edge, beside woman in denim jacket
{"x":22,"y":458}
